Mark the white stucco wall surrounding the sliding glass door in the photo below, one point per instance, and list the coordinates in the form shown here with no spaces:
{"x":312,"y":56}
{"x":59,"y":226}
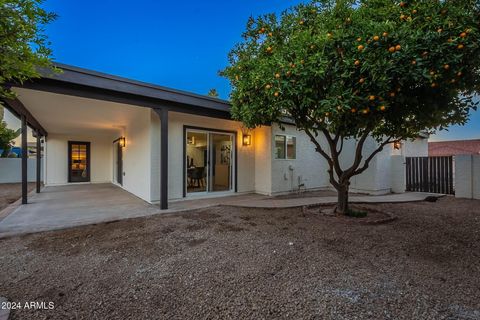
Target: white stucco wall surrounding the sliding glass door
{"x":177,"y":121}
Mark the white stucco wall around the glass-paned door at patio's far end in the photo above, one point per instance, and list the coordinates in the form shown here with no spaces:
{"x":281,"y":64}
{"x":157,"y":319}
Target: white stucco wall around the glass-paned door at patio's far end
{"x":56,"y":157}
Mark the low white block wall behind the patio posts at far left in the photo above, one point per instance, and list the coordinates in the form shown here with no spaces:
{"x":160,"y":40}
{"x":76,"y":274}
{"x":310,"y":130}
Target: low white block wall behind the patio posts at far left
{"x":11,"y":170}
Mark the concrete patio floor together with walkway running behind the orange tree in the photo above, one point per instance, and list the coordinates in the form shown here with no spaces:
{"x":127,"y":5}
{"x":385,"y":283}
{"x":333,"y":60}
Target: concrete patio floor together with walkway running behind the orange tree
{"x":69,"y":206}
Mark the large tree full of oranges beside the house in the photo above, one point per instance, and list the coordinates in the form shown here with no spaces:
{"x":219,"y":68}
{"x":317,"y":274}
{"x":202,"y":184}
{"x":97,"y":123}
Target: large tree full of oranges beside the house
{"x":354,"y":69}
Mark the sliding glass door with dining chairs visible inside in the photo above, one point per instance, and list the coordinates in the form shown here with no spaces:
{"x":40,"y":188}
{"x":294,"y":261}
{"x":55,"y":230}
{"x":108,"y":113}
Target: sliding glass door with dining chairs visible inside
{"x":209,"y":164}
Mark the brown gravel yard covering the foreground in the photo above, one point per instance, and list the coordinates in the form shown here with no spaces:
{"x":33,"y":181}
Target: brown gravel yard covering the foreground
{"x":234,"y":263}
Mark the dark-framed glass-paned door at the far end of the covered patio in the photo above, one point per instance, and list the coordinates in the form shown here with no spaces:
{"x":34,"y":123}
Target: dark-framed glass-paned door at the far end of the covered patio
{"x":78,"y":161}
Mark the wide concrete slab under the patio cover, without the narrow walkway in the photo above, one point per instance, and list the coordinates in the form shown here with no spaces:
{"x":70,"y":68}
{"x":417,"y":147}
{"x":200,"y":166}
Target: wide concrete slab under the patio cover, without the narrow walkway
{"x":68,"y":206}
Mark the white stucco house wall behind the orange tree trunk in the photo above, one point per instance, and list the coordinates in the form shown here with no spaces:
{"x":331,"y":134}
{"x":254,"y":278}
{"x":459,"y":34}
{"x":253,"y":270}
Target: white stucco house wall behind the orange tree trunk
{"x":383,"y":175}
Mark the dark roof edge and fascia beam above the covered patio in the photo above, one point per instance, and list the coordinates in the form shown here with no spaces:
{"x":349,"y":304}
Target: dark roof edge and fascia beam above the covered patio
{"x":95,"y":85}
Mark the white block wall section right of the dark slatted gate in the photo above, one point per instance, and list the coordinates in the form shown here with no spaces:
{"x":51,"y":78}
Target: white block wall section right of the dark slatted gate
{"x":467,"y":176}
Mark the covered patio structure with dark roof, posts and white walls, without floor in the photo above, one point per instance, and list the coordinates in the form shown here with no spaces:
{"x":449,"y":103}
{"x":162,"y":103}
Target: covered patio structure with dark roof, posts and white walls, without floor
{"x":88,"y":112}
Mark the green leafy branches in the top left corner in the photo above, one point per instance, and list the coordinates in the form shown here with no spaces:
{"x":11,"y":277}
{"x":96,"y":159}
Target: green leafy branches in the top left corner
{"x":23,"y":45}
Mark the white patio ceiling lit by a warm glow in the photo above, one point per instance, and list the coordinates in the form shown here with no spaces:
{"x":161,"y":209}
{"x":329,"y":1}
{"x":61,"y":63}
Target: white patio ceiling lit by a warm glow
{"x":65,"y":114}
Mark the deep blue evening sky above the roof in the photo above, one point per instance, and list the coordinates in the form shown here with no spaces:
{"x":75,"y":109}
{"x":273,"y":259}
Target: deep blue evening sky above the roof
{"x":177,"y":44}
